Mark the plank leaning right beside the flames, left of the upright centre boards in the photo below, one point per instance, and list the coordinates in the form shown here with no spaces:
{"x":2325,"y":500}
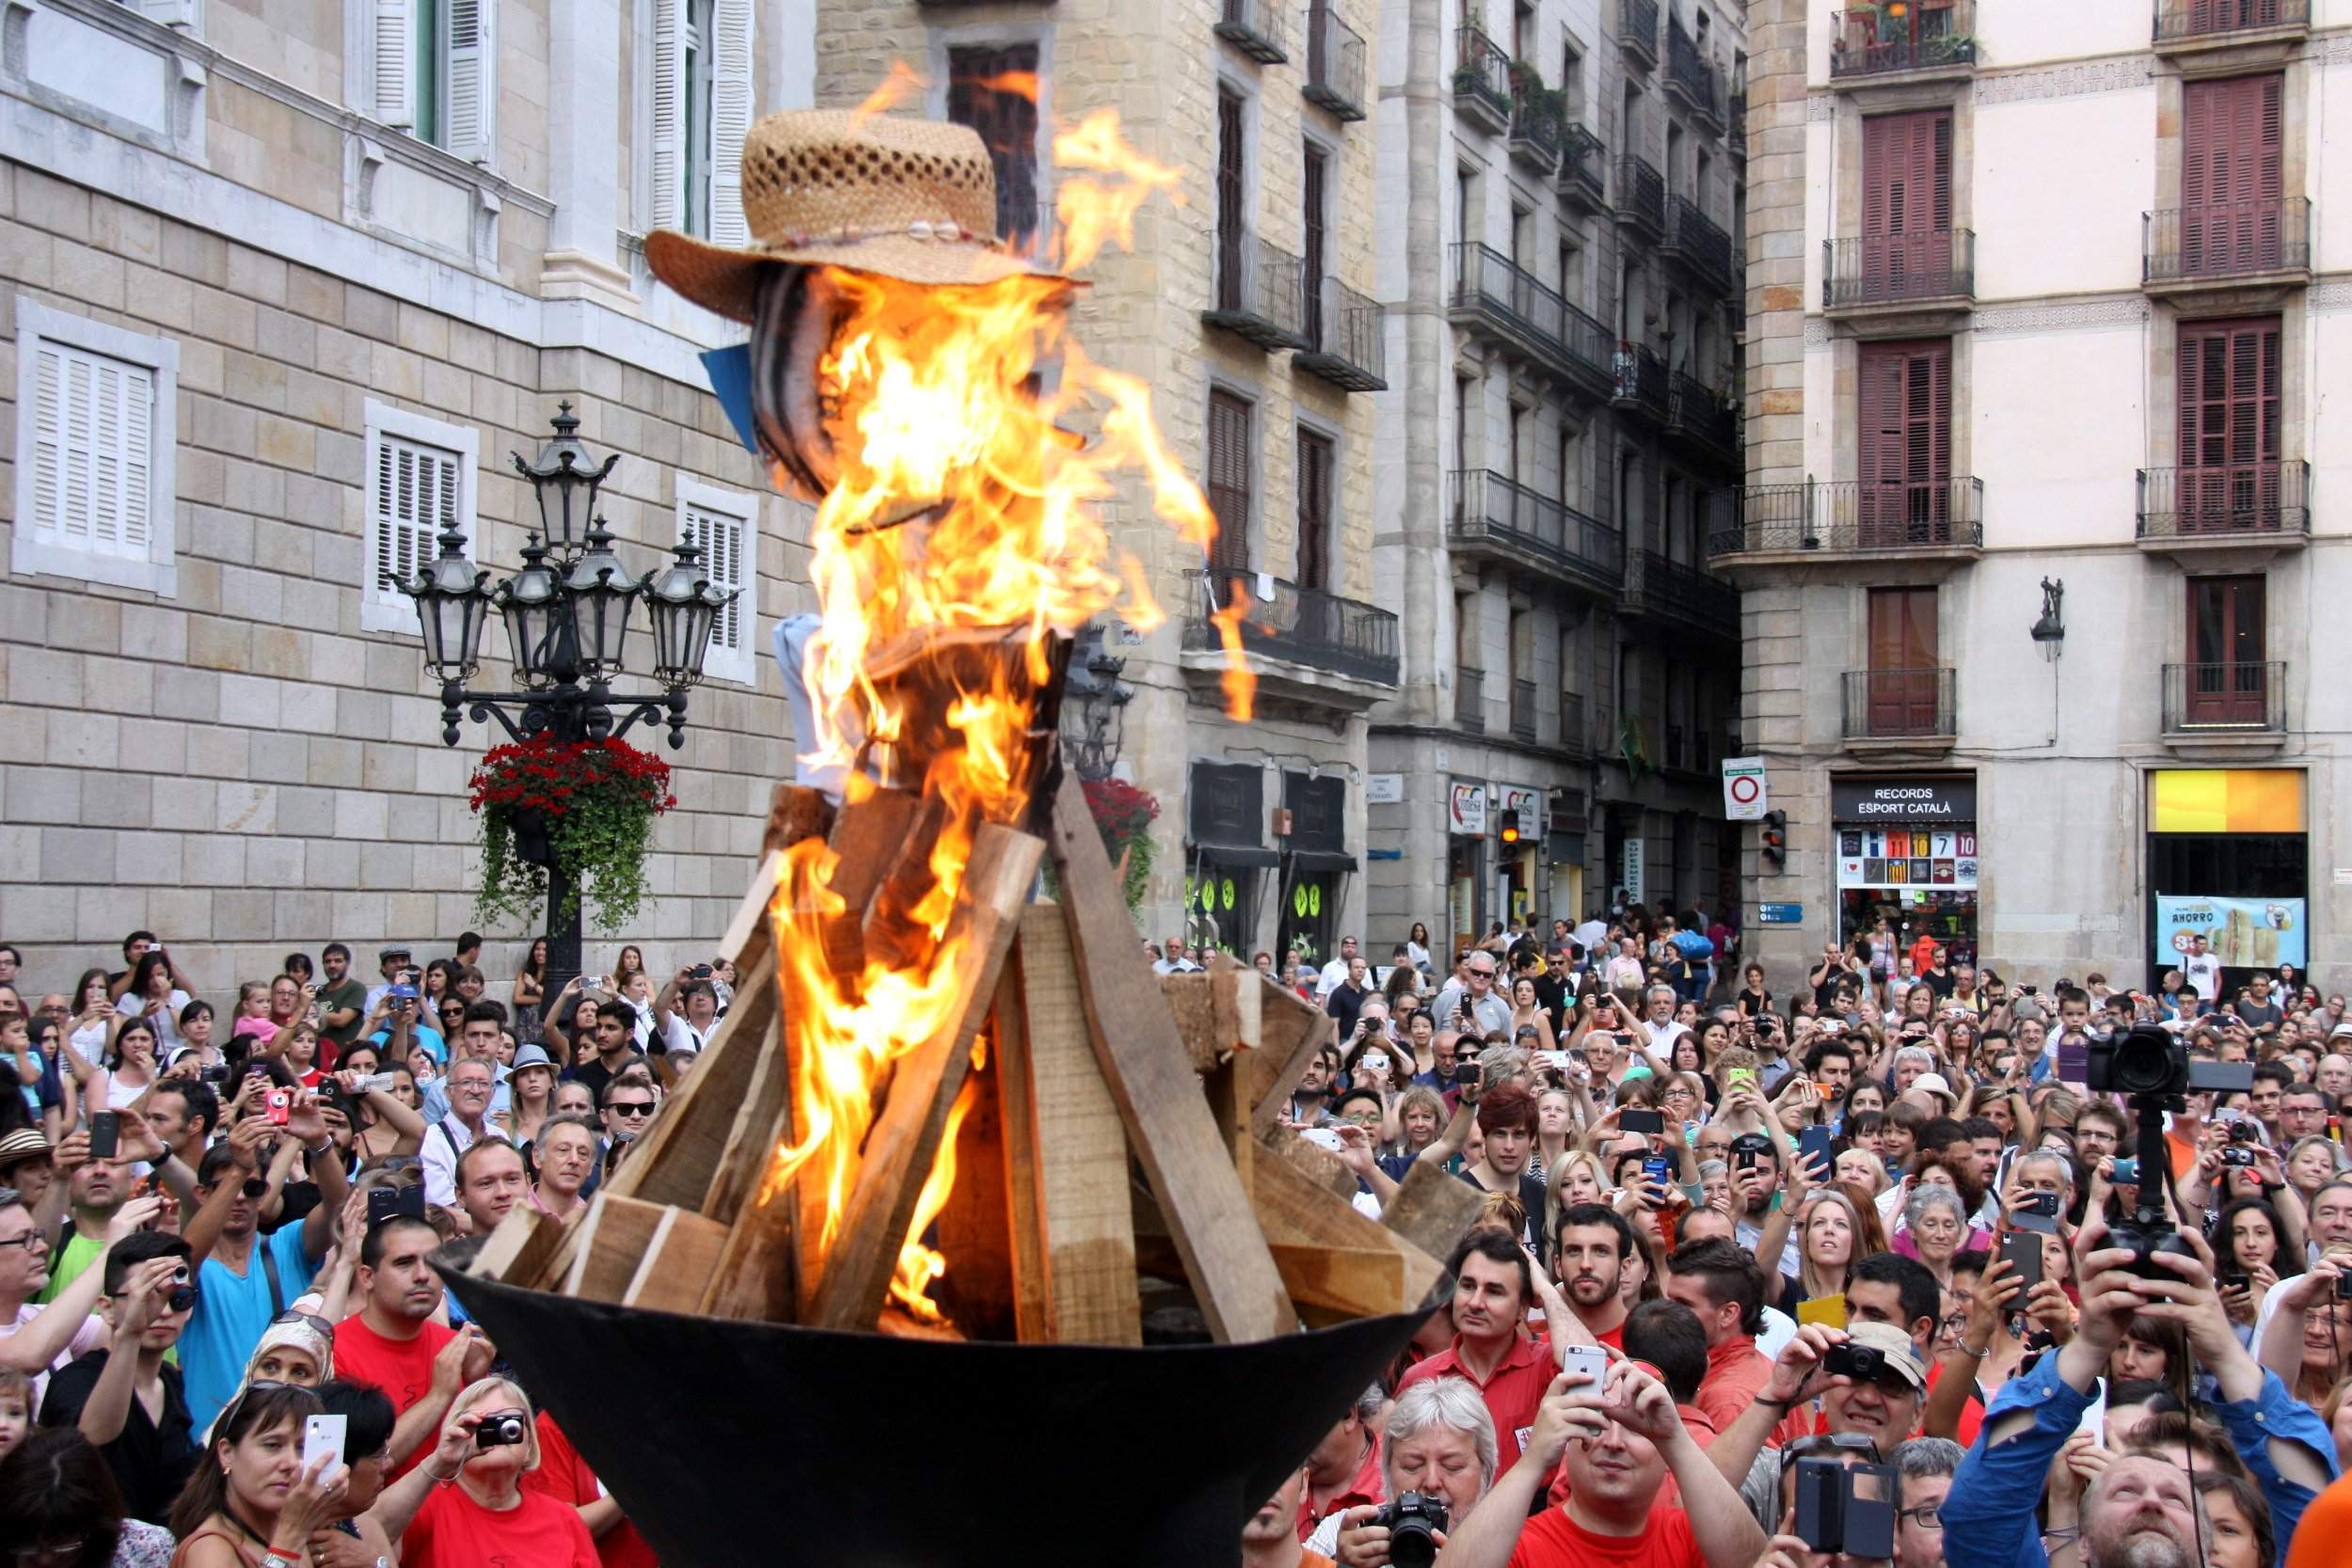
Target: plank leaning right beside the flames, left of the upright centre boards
{"x":904,"y":1139}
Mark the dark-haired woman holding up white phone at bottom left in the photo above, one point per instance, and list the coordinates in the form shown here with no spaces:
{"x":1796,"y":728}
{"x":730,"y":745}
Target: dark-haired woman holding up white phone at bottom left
{"x":253,"y":1499}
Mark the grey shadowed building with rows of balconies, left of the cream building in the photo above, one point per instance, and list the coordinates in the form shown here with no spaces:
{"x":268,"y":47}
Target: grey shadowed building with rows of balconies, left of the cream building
{"x":1561,"y":213}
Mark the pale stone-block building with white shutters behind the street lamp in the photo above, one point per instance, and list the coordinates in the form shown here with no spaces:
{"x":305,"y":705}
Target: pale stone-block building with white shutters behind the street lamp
{"x":281,"y":286}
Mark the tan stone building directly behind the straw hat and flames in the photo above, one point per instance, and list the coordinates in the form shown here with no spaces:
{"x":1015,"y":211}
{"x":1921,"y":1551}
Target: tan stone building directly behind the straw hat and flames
{"x":1250,"y":314}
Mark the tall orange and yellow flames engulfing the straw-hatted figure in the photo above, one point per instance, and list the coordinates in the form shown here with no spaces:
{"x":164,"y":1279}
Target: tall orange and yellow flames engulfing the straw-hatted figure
{"x":963,"y":509}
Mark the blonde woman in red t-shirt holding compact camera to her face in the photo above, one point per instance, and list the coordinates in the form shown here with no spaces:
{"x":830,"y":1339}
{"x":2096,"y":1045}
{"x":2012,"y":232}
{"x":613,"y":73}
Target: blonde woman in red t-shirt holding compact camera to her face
{"x":467,"y":1506}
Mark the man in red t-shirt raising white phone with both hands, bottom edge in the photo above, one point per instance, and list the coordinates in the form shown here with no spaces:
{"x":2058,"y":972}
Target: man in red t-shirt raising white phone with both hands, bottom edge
{"x":1617,"y":1442}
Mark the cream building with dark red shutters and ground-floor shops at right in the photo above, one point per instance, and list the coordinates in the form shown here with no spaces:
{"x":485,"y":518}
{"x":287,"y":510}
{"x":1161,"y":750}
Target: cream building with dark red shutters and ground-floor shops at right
{"x":2045,"y":518}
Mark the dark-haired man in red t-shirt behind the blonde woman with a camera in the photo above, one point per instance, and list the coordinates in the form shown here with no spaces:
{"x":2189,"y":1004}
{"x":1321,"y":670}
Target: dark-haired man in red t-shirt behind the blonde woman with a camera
{"x":394,"y":1341}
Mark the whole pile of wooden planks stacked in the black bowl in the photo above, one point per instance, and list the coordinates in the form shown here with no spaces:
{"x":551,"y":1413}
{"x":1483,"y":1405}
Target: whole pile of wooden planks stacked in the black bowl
{"x":1118,"y":1123}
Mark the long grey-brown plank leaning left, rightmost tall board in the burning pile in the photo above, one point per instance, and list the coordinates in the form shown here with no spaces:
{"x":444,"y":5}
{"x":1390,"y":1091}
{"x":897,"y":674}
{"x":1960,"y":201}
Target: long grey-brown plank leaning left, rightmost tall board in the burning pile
{"x":1161,"y":1104}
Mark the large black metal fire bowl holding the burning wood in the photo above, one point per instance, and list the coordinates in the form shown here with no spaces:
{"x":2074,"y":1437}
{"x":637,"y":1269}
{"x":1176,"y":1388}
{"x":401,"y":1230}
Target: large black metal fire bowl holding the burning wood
{"x":768,"y":1445}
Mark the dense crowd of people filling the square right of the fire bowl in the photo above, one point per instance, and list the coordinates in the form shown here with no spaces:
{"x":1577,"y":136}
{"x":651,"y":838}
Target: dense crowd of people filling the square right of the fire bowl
{"x":1838,"y":1268}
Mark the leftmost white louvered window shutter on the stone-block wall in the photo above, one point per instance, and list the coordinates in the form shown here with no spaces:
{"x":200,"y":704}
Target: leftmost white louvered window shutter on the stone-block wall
{"x":93,"y":450}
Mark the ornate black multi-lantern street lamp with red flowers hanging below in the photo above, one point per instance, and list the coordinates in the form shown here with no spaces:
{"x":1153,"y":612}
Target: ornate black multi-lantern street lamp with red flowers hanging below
{"x":568,"y":617}
